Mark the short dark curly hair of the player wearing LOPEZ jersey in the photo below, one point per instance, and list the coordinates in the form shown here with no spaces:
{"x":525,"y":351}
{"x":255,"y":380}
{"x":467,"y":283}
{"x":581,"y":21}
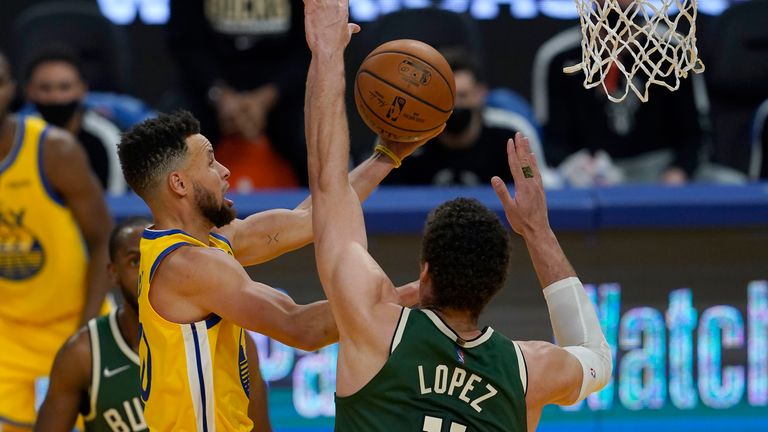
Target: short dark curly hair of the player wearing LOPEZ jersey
{"x":467,"y":250}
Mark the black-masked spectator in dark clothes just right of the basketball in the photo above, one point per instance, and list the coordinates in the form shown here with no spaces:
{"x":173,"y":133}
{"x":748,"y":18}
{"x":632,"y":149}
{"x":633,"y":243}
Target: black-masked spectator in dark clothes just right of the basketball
{"x":469,"y":151}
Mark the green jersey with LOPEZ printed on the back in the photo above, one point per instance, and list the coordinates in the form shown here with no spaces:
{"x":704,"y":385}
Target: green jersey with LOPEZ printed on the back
{"x":434,"y":381}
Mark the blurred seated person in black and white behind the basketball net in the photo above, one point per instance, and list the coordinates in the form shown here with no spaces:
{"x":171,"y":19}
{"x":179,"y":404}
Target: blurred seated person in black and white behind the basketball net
{"x":596,"y":141}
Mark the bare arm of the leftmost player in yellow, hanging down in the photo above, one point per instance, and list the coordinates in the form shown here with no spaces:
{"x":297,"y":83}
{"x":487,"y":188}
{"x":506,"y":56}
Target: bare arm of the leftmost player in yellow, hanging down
{"x":70,"y":175}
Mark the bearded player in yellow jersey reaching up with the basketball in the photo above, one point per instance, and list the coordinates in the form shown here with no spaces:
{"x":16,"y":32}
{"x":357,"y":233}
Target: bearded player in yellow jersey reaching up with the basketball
{"x":195,"y":298}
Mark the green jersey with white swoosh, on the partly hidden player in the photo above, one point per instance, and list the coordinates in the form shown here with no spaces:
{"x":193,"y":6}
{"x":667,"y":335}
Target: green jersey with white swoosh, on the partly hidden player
{"x":114,"y":404}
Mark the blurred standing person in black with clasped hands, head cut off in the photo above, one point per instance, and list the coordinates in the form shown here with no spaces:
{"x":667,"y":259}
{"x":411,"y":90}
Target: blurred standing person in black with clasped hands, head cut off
{"x":243,"y":67}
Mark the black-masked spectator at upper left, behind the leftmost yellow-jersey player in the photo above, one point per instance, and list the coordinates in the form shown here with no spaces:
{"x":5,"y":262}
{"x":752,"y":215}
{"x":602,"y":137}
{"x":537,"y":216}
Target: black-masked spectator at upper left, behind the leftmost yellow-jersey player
{"x":56,"y":86}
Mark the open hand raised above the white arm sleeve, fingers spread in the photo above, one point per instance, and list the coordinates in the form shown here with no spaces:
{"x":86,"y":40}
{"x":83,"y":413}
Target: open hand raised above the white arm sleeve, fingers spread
{"x":526,"y":211}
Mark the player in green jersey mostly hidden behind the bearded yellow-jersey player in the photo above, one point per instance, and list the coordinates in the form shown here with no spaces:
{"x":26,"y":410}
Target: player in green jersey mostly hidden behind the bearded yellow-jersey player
{"x":96,"y":372}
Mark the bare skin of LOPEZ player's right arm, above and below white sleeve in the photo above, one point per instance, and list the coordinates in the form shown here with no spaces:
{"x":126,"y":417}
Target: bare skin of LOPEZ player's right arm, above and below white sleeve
{"x":554,"y":375}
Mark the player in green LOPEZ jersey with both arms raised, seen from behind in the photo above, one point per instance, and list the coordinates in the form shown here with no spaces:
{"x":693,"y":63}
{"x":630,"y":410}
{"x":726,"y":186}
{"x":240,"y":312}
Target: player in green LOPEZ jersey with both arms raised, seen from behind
{"x":433,"y":369}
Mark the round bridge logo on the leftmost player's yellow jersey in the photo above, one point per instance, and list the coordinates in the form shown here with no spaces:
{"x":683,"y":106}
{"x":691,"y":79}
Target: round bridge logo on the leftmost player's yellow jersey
{"x":21,"y":253}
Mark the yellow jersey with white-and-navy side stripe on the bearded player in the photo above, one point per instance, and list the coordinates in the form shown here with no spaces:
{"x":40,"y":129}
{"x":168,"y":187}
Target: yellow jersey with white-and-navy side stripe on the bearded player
{"x":194,"y":377}
